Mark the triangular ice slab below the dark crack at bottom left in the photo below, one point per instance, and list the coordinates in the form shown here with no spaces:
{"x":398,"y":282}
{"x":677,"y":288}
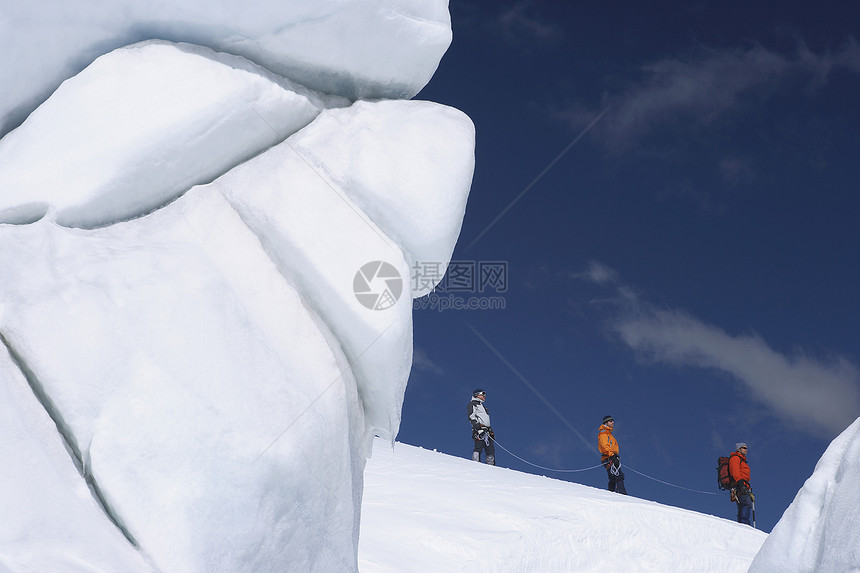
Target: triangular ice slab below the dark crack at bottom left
{"x":50,"y":520}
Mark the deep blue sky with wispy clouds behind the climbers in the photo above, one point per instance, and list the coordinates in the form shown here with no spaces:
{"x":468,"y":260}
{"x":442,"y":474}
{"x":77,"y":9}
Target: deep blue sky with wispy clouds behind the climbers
{"x":672,"y":191}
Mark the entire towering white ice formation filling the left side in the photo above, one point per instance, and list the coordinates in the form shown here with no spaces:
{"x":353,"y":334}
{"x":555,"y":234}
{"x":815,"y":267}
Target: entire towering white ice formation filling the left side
{"x":205,"y":312}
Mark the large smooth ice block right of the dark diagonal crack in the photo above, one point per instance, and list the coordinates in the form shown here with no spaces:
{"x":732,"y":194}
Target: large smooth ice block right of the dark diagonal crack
{"x":176,"y":358}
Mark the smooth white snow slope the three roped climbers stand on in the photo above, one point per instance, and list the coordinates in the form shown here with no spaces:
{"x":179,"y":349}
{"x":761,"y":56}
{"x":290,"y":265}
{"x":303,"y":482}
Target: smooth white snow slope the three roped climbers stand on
{"x":427,"y":511}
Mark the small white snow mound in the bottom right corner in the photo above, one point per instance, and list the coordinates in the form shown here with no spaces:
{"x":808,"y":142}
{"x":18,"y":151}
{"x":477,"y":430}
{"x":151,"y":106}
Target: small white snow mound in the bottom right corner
{"x":820,"y":529}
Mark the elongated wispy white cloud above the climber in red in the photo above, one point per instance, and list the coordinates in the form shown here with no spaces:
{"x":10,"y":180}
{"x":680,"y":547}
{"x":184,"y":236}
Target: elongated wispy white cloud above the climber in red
{"x":819,"y":395}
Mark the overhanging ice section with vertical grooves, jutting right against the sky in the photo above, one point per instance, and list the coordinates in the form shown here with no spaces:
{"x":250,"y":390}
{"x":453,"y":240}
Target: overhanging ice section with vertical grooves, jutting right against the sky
{"x":371,"y":182}
